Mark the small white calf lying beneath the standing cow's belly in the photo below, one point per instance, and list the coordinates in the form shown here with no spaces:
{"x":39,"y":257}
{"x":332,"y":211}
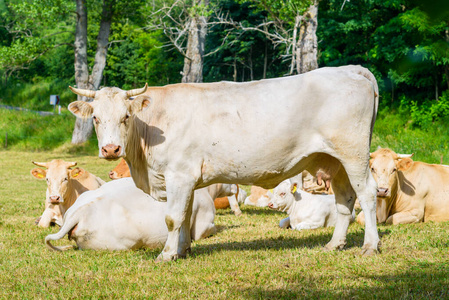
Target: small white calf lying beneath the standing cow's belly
{"x":305,"y":210}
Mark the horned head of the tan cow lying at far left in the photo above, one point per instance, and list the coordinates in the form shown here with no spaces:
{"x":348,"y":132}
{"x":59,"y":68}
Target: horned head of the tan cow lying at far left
{"x":58,"y":175}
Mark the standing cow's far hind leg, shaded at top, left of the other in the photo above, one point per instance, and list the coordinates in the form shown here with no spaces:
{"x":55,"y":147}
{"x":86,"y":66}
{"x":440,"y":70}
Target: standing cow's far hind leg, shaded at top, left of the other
{"x":345,"y":199}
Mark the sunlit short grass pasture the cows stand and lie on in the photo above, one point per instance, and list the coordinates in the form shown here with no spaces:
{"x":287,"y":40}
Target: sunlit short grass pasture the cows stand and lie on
{"x":249,"y":258}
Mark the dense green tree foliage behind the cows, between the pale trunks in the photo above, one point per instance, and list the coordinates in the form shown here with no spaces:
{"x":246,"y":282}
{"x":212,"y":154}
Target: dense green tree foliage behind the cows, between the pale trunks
{"x":405,"y":43}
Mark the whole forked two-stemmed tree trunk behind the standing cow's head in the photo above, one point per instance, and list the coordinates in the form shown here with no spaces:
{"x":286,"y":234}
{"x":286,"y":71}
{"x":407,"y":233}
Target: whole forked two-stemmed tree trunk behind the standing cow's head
{"x":83,"y":127}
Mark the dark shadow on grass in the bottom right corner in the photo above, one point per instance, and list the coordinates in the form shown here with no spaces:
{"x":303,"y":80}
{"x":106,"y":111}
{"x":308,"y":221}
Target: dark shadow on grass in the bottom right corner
{"x":419,"y":281}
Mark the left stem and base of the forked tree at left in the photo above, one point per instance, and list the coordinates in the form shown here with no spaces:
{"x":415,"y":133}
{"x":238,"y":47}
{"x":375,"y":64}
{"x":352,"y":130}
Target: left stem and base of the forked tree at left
{"x":83,"y":127}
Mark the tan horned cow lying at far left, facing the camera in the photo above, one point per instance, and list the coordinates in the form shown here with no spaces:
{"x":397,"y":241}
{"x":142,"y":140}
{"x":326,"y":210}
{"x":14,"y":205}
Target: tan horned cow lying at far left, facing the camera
{"x":64,"y":185}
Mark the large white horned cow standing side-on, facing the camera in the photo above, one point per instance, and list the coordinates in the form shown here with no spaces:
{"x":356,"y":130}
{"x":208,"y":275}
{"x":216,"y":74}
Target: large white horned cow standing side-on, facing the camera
{"x":182,"y":137}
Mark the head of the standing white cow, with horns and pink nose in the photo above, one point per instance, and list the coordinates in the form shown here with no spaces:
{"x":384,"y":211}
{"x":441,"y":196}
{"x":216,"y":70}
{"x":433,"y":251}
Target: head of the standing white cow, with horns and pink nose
{"x":110,"y":112}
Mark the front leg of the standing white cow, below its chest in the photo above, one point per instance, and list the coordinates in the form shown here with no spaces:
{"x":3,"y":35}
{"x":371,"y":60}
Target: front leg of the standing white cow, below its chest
{"x":179,"y":201}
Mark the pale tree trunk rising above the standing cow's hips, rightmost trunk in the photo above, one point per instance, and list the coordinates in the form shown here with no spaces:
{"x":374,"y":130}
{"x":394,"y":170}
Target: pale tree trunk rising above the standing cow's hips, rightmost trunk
{"x":306,"y":49}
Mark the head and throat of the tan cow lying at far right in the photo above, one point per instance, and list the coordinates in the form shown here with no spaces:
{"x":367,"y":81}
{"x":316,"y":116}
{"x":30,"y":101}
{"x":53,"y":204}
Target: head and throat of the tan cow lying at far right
{"x":385,"y":165}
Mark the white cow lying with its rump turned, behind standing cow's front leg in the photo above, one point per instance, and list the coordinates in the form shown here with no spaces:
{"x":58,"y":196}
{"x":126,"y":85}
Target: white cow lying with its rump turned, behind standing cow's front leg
{"x":119,"y":216}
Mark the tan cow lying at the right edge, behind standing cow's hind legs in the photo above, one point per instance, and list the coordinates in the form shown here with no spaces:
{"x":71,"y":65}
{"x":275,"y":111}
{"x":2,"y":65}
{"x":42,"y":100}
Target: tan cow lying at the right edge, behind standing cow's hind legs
{"x":408,"y":191}
